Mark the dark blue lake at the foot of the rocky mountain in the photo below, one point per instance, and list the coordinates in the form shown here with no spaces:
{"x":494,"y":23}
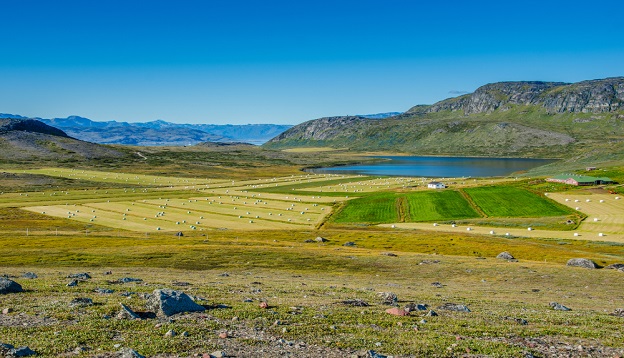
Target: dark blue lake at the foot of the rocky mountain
{"x":438,"y":167}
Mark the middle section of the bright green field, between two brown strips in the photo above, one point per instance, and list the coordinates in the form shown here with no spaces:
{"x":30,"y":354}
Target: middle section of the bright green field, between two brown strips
{"x":439,"y":205}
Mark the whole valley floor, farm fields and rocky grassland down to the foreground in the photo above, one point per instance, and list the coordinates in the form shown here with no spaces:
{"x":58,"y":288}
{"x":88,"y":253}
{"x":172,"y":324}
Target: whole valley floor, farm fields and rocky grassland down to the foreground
{"x":286,"y":262}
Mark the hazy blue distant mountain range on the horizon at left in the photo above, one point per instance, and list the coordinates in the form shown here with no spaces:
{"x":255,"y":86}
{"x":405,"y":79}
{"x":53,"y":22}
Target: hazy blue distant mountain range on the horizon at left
{"x":159,"y":132}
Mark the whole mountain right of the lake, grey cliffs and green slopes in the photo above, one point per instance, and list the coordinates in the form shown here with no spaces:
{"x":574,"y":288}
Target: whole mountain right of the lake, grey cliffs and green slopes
{"x":534,"y":119}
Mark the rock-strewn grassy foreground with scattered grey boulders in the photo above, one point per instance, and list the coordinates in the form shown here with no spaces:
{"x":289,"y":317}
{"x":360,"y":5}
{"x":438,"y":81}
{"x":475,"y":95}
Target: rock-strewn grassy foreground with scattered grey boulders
{"x":474,"y":308}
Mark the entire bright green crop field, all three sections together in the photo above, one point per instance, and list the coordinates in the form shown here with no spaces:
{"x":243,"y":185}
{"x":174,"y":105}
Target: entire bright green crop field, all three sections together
{"x":502,"y":202}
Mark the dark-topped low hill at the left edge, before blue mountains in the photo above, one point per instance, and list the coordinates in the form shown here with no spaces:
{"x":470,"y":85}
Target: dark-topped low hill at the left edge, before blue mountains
{"x":29,"y":140}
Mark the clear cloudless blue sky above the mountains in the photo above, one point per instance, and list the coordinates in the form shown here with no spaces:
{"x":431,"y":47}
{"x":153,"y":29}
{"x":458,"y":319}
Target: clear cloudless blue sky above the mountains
{"x":231,"y":61}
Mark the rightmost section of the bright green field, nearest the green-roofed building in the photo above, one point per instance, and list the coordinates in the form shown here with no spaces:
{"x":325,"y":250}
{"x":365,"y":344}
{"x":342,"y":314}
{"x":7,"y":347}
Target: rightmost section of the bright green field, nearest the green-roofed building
{"x":506,"y":201}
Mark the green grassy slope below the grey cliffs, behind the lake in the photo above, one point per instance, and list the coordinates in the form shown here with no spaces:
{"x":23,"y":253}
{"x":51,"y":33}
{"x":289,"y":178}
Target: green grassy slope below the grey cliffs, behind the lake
{"x":521,"y":130}
